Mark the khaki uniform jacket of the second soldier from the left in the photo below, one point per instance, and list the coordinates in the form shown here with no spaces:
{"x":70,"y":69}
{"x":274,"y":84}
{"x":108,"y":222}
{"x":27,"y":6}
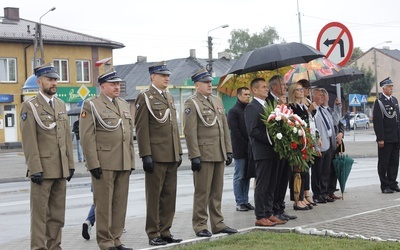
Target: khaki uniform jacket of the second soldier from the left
{"x":106,"y":134}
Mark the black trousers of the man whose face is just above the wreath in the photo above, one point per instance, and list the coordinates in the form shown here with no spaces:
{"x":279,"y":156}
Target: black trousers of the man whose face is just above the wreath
{"x":283,"y":174}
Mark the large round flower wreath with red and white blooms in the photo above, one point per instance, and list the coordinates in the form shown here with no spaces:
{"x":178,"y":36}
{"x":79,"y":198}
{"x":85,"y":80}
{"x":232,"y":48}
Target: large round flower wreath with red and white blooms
{"x":291,"y":137}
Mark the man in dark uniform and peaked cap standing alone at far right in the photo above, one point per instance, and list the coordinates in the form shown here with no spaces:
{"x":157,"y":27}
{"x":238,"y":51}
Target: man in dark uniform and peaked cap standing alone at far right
{"x":387,"y":129}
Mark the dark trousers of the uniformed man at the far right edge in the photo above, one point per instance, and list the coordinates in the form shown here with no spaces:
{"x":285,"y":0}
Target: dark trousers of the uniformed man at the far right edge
{"x":388,"y":165}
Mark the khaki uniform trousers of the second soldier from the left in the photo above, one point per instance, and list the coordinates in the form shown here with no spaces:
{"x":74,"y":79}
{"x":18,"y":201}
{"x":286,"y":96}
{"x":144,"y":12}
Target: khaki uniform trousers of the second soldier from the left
{"x":110,"y":194}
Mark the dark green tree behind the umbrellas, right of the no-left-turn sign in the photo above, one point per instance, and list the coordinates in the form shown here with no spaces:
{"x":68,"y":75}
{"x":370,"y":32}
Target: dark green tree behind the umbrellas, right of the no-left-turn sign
{"x":362,"y":86}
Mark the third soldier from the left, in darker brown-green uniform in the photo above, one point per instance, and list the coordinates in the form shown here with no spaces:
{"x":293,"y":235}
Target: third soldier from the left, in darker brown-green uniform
{"x":161,"y":152}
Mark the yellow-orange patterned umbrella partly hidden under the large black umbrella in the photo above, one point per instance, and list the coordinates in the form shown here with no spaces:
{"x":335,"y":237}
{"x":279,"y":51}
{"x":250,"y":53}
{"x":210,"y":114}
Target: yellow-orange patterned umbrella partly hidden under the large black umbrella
{"x":228,"y":84}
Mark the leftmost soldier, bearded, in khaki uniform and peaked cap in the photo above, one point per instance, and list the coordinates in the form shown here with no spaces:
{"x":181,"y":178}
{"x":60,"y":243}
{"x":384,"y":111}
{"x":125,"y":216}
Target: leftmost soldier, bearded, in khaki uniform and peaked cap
{"x":47,"y":146}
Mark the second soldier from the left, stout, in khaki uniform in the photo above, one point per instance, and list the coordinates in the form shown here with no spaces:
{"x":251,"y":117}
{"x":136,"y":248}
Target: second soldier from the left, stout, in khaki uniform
{"x":106,"y":131}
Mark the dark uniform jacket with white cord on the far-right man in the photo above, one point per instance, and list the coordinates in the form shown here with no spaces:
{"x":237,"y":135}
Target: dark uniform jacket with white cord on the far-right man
{"x":386,"y":119}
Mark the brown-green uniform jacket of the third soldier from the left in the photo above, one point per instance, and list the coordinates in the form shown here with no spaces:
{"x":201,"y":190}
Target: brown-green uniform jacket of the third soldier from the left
{"x":157,"y":126}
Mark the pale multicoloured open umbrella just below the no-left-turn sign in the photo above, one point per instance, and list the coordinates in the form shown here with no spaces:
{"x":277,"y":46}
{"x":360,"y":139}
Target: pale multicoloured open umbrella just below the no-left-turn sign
{"x":312,"y":71}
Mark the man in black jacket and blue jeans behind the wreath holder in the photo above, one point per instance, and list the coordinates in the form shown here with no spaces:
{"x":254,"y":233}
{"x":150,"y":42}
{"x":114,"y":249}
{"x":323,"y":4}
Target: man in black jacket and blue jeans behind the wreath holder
{"x":240,"y":141}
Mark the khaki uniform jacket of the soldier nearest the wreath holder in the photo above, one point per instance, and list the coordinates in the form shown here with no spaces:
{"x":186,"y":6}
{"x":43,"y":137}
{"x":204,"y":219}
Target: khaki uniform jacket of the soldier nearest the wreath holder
{"x":206,"y":129}
